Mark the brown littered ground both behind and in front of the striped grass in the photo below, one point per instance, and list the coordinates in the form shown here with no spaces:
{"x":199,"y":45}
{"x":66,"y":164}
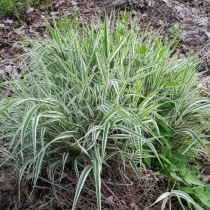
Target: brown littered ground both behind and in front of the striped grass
{"x":191,"y":18}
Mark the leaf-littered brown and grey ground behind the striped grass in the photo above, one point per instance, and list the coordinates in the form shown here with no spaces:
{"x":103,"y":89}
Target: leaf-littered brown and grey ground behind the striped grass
{"x":190,"y":17}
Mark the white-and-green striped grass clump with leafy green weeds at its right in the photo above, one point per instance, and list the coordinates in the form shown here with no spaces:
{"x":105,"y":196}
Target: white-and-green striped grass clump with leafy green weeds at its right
{"x":108,"y":92}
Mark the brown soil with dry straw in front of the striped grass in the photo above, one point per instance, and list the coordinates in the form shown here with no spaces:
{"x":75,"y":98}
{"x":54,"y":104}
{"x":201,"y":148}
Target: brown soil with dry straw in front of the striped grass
{"x":121,"y":190}
